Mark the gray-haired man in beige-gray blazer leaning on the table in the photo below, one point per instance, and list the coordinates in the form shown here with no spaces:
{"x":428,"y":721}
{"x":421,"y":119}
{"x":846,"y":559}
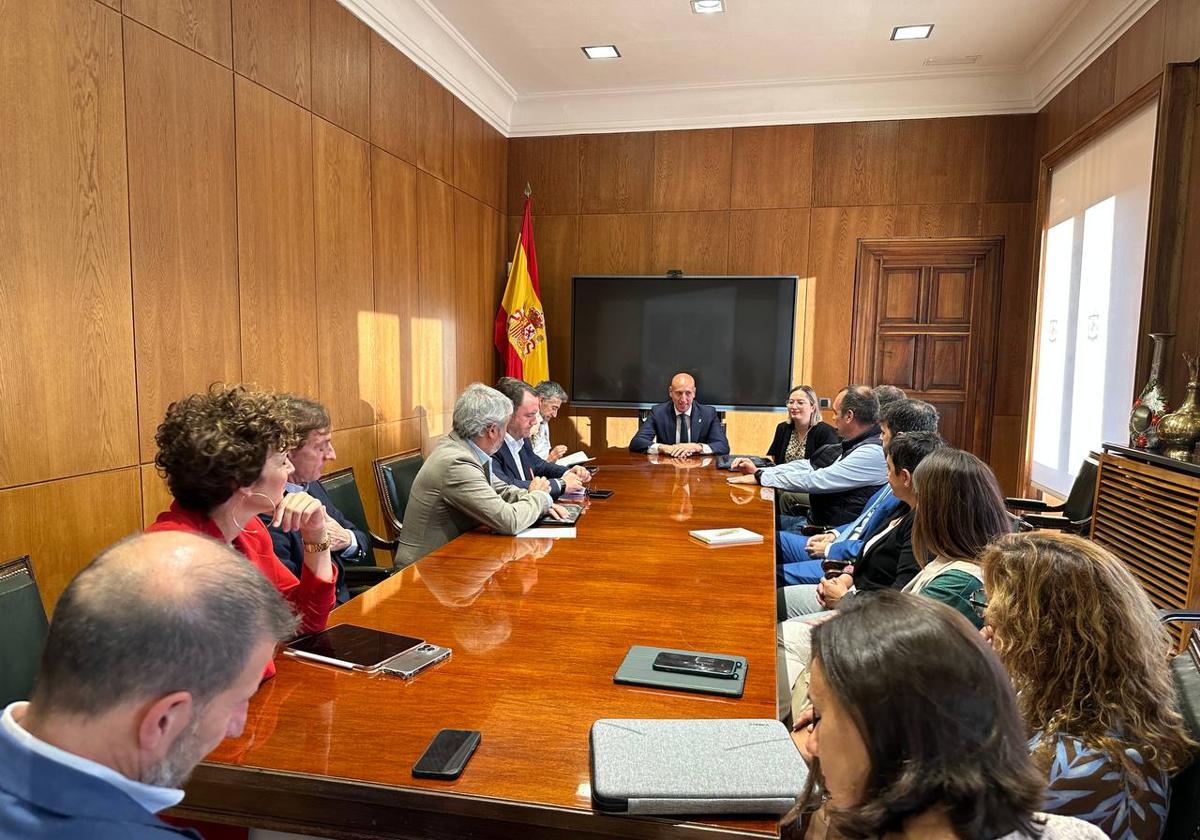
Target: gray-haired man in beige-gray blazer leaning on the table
{"x":455,"y":490}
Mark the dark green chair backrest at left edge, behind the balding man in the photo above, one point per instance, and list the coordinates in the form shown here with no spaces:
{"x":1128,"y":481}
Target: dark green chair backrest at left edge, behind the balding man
{"x":23,"y":628}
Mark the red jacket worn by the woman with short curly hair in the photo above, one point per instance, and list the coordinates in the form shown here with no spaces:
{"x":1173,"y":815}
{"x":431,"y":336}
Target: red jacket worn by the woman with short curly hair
{"x":310,"y":597}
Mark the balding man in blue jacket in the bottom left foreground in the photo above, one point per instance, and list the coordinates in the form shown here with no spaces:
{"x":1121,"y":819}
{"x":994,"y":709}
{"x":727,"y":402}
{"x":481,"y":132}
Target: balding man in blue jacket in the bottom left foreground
{"x":151,"y":662}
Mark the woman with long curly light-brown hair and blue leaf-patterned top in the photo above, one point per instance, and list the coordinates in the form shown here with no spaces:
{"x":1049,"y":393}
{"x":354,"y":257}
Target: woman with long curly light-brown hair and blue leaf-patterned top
{"x":1089,"y":659}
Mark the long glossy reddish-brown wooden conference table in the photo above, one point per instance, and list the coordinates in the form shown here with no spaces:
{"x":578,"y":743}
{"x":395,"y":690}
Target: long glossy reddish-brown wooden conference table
{"x":538,"y":628}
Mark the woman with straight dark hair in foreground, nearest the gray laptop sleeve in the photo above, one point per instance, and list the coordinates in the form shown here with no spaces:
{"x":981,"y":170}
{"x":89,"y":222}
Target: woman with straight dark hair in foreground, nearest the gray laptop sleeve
{"x":914,"y":731}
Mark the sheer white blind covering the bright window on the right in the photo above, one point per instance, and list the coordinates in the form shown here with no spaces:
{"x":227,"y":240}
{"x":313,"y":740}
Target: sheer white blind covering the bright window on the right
{"x":1093,"y":268}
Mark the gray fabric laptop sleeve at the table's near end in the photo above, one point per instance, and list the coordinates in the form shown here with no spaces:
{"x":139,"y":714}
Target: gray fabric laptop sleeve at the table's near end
{"x":694,"y":767}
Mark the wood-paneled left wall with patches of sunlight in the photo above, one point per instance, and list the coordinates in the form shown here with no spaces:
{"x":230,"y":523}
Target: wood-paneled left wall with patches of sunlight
{"x":224,"y":190}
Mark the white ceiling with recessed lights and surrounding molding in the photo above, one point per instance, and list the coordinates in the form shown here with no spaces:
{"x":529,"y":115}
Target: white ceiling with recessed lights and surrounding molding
{"x":519,"y":63}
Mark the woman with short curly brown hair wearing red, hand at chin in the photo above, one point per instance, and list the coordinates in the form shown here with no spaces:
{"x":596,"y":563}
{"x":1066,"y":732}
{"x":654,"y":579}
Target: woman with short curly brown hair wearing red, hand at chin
{"x":225,"y":457}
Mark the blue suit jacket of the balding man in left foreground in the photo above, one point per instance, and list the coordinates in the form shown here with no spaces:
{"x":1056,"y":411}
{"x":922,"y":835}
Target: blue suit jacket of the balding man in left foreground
{"x":41,"y":800}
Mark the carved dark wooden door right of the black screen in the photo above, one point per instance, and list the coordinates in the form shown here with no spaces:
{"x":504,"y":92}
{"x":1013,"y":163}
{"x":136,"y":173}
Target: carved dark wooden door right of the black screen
{"x":926,"y":315}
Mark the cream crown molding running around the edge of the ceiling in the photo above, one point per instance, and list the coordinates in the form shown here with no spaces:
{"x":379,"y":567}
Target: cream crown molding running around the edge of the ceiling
{"x":419,"y":31}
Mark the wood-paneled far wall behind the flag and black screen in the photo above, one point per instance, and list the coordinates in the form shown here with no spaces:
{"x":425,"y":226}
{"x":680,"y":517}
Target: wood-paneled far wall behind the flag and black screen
{"x":788,"y":200}
